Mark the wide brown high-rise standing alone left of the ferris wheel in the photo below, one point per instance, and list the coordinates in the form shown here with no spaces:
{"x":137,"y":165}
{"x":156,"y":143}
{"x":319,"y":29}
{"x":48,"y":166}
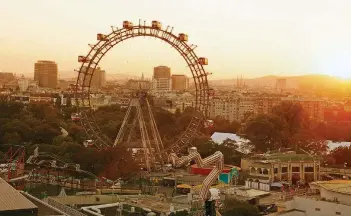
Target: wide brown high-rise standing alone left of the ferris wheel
{"x":45,"y":72}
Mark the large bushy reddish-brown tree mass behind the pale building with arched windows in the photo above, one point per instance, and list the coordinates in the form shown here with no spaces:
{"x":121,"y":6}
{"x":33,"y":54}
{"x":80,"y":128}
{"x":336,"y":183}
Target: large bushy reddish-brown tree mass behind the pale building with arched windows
{"x":287,"y":127}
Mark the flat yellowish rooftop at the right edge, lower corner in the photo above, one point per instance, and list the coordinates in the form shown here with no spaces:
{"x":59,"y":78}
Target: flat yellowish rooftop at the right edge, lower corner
{"x":339,"y":186}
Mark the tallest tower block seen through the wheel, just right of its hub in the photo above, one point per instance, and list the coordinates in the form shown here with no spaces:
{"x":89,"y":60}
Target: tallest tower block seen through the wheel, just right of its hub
{"x":162,"y":79}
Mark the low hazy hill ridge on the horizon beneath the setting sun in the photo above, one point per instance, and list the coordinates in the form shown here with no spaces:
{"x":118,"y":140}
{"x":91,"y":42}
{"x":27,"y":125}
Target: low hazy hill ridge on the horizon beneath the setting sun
{"x":291,"y":81}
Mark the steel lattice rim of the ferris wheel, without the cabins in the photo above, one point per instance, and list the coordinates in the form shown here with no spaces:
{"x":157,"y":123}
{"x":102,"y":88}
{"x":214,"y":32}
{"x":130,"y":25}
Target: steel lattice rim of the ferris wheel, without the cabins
{"x":102,"y":47}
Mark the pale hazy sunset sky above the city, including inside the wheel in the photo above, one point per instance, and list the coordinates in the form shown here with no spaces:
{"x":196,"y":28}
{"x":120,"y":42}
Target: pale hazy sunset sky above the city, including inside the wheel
{"x":249,"y":37}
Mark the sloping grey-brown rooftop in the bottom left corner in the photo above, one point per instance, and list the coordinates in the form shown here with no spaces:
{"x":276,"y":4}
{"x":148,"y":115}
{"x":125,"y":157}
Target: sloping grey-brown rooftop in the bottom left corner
{"x":11,"y":199}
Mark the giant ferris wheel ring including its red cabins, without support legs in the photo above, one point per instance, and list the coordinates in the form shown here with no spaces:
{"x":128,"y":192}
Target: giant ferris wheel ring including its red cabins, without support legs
{"x":105,"y":42}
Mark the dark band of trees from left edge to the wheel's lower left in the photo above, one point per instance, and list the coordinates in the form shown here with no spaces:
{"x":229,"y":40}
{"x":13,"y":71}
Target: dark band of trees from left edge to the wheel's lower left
{"x":41,"y":126}
